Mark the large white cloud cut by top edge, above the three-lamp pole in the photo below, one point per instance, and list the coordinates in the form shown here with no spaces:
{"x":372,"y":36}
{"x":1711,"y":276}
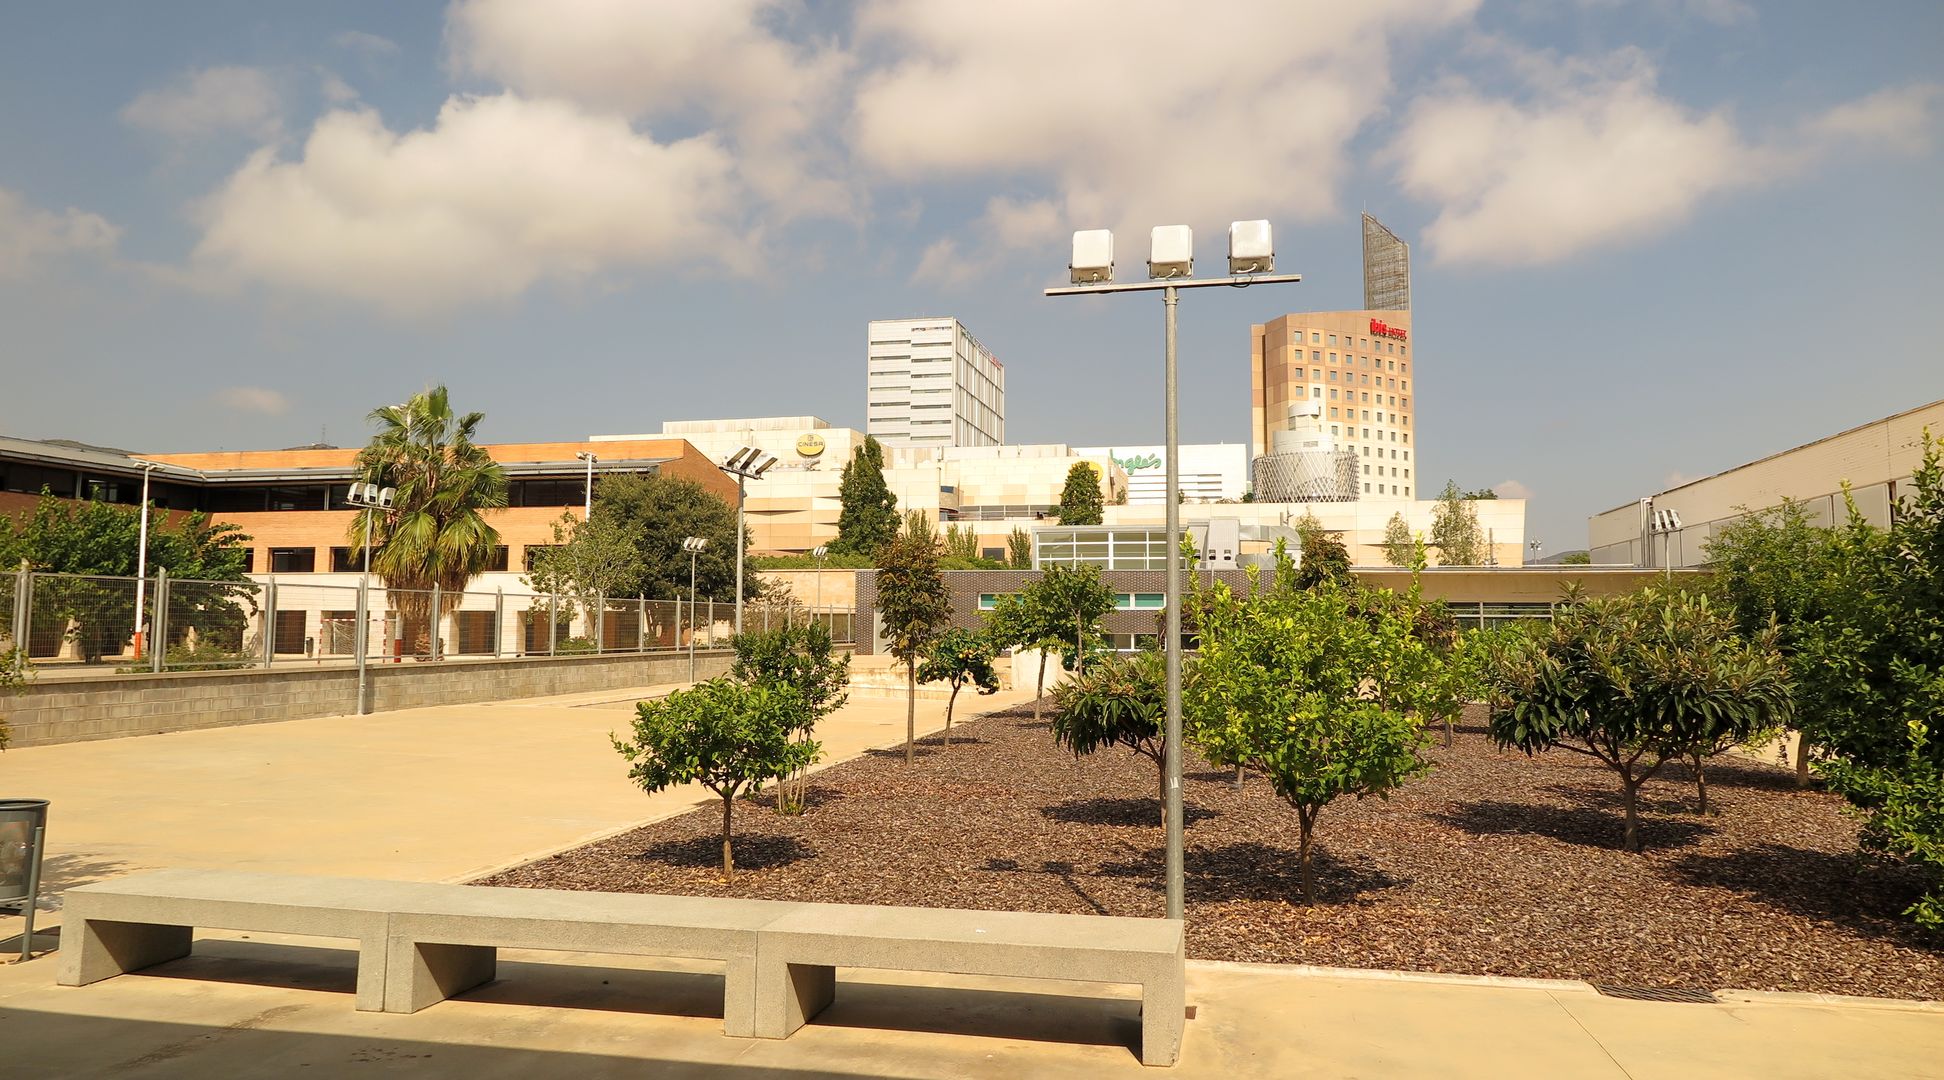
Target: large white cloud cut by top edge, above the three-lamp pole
{"x":1128,"y":112}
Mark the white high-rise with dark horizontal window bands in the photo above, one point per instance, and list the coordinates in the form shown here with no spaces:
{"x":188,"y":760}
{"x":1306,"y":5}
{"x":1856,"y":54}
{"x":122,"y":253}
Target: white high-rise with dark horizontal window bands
{"x":932,"y":386}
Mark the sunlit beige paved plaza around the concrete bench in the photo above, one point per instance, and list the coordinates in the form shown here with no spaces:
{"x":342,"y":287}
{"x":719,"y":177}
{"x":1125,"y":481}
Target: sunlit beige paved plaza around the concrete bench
{"x":454,"y":792}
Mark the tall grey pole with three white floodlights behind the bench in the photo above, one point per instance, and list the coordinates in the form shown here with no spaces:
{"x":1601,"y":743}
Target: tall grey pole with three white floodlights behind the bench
{"x":1171,"y":267}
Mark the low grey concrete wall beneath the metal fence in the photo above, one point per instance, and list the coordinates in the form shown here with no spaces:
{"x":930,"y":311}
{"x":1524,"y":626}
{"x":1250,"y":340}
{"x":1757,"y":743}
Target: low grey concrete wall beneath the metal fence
{"x":123,"y":706}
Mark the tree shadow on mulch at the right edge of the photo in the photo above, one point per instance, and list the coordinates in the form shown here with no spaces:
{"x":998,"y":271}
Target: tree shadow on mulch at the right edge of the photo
{"x":1844,"y":889}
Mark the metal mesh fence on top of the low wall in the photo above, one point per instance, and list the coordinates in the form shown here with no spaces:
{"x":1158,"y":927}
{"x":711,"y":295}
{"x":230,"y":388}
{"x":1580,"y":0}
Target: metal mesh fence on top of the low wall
{"x":79,"y":624}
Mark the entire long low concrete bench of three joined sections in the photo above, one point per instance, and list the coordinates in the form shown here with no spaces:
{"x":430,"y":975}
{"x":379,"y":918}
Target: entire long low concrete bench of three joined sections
{"x":423,"y":943}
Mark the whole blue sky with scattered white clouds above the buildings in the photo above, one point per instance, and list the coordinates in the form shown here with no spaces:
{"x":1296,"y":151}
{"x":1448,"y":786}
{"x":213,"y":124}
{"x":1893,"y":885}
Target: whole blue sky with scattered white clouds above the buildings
{"x":1651,"y":238}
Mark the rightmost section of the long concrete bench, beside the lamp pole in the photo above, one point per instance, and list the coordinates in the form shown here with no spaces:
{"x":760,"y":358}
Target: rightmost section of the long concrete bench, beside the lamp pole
{"x":800,"y":955}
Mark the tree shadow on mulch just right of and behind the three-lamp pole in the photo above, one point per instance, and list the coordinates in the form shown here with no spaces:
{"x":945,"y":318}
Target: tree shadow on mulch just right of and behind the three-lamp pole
{"x":1257,"y":871}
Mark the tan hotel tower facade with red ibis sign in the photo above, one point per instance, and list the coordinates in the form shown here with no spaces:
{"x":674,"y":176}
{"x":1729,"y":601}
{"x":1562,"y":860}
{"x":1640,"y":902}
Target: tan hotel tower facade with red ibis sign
{"x":1348,"y":372}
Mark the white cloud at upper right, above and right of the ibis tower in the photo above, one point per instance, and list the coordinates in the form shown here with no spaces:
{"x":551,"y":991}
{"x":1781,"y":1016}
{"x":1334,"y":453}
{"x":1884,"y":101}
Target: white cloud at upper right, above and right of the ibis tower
{"x":1597,"y":156}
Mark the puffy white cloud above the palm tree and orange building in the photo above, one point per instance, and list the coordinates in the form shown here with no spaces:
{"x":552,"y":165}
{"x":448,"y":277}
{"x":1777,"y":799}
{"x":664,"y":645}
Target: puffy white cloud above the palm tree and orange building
{"x":501,"y":193}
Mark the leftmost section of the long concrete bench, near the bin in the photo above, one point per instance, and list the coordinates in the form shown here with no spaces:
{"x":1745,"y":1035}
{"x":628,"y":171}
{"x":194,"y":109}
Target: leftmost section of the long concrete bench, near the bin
{"x":147,"y":920}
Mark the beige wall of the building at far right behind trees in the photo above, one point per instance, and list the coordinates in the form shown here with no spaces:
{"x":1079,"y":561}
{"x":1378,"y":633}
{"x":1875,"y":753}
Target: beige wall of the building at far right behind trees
{"x":1873,"y":459}
